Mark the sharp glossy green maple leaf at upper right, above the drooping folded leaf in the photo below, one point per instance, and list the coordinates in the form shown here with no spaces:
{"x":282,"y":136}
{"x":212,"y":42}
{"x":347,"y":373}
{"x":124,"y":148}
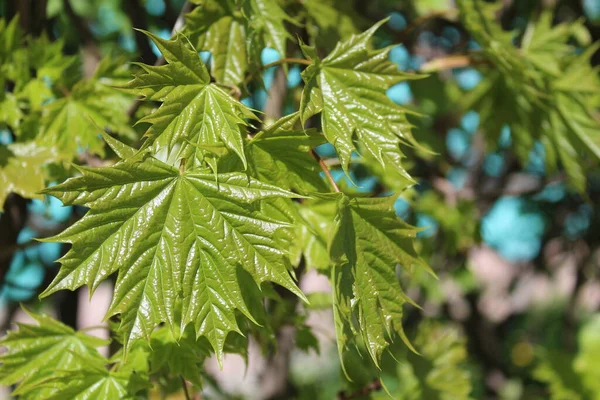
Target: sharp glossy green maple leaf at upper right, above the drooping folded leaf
{"x":349,"y":88}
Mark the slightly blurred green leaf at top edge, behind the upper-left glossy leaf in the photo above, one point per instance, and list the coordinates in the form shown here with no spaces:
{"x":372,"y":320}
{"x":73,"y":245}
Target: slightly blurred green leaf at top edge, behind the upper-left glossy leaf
{"x":219,"y":27}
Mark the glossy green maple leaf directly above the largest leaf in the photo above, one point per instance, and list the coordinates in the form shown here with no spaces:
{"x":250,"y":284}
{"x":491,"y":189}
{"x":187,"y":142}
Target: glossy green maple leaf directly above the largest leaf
{"x":196,"y":115}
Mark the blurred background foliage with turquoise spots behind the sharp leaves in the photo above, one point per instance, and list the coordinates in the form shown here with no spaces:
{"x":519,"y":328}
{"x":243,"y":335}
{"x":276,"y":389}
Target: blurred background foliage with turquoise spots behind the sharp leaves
{"x":507,"y":199}
